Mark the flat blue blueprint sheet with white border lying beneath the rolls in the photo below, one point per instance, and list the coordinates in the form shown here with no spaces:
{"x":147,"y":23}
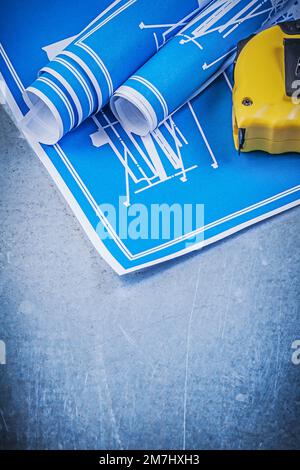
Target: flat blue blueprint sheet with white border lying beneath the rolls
{"x":189,"y":161}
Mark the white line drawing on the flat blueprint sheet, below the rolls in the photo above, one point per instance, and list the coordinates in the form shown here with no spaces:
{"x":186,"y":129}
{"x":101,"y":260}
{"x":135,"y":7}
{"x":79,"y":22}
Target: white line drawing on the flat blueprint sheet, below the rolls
{"x":151,"y":160}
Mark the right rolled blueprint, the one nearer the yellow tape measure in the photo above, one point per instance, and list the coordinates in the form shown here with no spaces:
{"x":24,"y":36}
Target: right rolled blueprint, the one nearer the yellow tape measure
{"x":184,"y":66}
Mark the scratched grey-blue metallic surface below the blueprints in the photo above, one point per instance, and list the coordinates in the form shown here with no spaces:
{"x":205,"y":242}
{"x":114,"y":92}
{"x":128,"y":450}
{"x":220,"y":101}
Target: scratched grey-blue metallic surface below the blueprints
{"x":195,"y":353}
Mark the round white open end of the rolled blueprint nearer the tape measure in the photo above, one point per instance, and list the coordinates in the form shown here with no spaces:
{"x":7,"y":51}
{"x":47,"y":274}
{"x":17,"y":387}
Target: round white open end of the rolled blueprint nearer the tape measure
{"x":133,"y":111}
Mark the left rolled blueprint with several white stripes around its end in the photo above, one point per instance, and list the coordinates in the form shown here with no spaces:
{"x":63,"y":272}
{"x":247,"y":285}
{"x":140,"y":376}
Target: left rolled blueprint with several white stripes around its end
{"x":81,"y":79}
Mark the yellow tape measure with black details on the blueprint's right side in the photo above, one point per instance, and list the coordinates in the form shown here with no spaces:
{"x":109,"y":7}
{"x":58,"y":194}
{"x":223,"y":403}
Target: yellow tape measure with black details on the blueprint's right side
{"x":266,"y":95}
